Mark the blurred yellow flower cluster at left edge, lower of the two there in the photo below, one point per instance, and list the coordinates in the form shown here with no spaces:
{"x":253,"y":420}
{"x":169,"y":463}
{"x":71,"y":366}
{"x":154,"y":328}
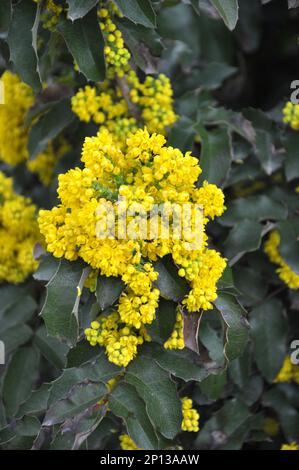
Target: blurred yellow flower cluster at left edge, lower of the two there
{"x":18,"y":234}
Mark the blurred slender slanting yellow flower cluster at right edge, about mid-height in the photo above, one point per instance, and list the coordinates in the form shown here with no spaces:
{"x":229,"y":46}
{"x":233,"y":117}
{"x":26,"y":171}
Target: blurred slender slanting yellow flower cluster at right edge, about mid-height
{"x":284,"y":271}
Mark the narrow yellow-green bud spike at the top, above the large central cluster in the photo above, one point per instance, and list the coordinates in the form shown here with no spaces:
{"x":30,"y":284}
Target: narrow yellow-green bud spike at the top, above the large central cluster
{"x":116,"y":54}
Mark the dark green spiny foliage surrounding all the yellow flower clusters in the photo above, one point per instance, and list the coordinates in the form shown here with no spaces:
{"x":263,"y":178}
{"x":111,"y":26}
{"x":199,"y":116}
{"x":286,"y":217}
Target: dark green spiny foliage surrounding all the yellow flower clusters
{"x":231,"y":78}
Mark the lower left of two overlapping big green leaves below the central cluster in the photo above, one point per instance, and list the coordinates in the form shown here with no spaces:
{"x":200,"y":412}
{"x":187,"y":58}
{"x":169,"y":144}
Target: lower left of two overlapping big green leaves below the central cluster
{"x":125,"y":402}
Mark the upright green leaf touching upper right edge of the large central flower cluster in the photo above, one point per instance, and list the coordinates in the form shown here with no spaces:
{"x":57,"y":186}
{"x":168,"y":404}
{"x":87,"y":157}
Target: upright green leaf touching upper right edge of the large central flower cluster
{"x":216,"y":155}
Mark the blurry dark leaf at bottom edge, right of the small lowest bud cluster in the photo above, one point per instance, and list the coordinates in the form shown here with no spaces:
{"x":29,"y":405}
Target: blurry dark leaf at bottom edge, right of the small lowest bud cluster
{"x":217,"y":431}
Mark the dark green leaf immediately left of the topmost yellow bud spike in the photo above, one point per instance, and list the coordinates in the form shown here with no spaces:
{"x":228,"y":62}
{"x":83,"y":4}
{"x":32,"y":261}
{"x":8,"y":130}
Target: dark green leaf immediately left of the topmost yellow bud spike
{"x":85,"y":42}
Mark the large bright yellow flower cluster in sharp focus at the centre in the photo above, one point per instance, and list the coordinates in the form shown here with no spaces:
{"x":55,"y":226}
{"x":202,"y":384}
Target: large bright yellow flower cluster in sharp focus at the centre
{"x":118,"y":181}
